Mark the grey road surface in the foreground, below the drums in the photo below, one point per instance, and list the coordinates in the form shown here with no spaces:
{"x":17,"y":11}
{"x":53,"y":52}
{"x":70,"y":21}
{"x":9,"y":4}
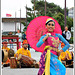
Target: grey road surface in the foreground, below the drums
{"x":29,"y":71}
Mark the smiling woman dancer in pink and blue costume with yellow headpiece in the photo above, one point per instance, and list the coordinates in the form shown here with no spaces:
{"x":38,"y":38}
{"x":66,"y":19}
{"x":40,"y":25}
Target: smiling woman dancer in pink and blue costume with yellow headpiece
{"x":51,"y":40}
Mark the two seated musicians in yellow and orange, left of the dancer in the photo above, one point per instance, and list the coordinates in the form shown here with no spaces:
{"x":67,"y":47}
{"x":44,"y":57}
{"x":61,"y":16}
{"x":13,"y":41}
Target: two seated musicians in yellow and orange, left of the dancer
{"x":7,"y":53}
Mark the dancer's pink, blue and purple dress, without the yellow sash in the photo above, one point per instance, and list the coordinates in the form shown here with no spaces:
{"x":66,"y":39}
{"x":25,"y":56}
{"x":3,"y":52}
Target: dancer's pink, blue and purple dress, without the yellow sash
{"x":56,"y":67}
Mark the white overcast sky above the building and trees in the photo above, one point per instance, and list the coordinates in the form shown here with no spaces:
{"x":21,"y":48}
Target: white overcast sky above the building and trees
{"x":12,"y":6}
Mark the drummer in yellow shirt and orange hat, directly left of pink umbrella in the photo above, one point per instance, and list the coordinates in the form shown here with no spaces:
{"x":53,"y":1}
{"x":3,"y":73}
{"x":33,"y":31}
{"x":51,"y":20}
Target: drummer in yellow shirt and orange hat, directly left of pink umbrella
{"x":23,"y":50}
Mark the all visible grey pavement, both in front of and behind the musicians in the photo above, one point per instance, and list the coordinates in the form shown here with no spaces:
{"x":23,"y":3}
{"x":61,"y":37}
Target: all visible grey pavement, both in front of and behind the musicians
{"x":29,"y":71}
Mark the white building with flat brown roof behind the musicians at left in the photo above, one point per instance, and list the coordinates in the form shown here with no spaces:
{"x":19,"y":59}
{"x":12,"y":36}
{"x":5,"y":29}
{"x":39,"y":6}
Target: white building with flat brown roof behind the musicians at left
{"x":12,"y":24}
